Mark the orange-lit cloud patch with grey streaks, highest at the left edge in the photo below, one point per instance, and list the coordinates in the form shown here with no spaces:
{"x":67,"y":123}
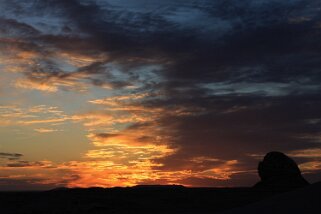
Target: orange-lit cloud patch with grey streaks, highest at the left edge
{"x":47,"y":70}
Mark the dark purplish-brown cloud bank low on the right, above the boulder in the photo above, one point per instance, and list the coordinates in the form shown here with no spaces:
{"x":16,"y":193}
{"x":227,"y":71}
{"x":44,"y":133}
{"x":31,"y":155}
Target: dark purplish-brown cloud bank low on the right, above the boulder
{"x":234,"y":127}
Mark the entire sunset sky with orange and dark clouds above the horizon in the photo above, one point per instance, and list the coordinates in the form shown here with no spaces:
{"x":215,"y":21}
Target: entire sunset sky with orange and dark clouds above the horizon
{"x":111,"y":93}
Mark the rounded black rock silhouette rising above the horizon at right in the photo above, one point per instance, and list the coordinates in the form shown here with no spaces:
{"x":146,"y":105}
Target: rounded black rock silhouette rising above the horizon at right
{"x":279,"y":171}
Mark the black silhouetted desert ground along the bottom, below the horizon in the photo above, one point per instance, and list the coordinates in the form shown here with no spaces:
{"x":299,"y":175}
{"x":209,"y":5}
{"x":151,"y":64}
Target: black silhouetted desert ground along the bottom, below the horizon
{"x":139,"y":200}
